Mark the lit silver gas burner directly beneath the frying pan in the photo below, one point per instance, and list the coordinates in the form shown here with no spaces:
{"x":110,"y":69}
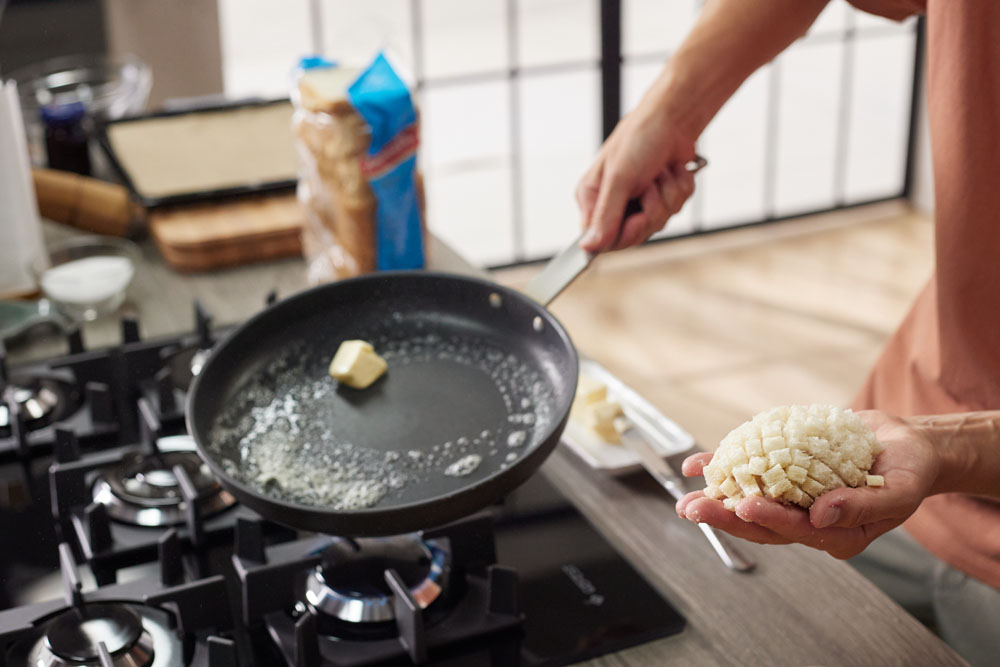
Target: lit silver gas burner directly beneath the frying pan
{"x":324,"y":597}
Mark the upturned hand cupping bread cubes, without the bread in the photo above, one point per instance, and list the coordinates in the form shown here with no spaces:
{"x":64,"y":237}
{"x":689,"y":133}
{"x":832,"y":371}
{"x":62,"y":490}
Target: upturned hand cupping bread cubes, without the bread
{"x":844,"y":521}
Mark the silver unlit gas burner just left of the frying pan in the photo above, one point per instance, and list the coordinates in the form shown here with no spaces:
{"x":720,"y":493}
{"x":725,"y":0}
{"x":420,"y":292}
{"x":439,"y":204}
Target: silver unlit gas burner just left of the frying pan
{"x":143,"y":491}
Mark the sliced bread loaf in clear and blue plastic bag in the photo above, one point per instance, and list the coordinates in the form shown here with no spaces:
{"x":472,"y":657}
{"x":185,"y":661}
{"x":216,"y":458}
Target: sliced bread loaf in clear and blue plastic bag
{"x":357,"y":139}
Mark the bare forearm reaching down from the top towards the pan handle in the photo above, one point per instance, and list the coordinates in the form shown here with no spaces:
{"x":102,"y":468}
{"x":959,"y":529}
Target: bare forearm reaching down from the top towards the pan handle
{"x":731,"y":39}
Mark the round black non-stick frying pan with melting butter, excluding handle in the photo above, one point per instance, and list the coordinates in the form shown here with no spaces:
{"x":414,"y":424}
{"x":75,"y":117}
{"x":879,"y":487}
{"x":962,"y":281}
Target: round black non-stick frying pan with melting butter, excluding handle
{"x":479,"y":379}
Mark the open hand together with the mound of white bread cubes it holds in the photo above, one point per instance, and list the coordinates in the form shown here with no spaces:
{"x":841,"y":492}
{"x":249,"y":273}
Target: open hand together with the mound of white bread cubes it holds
{"x":843,"y":453}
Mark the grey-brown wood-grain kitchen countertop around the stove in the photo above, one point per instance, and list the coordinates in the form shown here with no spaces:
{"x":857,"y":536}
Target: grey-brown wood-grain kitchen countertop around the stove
{"x":799,"y":607}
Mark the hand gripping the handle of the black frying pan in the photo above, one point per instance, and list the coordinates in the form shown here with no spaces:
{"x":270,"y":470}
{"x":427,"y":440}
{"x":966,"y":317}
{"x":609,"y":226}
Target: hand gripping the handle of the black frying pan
{"x":644,"y":158}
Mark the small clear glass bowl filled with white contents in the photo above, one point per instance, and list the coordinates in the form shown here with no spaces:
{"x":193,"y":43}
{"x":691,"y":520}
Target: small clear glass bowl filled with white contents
{"x":88,"y":277}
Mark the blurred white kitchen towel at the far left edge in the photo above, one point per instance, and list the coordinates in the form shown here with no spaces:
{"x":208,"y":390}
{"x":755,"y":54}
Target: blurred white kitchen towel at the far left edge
{"x":21,"y":245}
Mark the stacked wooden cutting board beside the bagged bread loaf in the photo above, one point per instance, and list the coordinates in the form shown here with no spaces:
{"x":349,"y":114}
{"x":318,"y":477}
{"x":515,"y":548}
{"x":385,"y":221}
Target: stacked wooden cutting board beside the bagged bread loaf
{"x":202,"y":237}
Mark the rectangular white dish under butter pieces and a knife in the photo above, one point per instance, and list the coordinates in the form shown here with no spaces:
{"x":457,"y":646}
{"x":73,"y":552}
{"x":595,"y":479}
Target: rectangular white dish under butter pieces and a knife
{"x":662,"y":433}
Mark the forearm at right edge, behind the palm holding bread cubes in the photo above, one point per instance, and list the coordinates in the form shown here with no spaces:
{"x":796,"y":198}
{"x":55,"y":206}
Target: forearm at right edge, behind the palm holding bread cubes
{"x":968,"y":450}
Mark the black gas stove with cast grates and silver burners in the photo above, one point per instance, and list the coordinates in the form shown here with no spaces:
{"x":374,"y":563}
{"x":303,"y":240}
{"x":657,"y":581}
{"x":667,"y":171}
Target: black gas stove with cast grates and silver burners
{"x":98,"y":473}
